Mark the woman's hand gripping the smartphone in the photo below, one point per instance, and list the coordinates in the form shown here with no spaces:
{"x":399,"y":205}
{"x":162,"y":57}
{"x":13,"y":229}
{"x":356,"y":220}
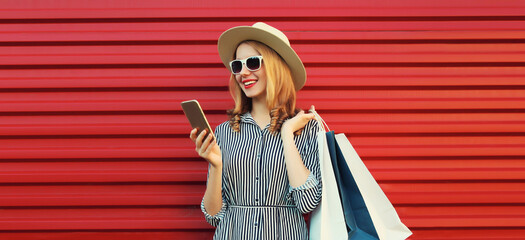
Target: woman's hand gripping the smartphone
{"x":207,"y":148}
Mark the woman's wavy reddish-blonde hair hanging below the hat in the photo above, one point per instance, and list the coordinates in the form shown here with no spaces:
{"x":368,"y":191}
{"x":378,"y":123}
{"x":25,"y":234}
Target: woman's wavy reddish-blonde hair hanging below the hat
{"x":280,"y":91}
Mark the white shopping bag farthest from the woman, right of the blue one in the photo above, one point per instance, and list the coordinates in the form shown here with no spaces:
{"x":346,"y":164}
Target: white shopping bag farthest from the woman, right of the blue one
{"x":384,"y":216}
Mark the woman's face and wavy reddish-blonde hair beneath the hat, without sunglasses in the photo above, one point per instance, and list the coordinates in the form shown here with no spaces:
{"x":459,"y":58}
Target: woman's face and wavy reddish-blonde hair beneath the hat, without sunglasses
{"x":273,"y":84}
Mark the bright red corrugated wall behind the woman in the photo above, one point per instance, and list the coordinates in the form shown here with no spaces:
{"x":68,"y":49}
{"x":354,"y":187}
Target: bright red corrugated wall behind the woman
{"x":94,"y":145}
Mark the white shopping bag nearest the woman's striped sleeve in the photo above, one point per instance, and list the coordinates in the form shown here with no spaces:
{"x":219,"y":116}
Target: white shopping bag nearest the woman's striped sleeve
{"x":327,"y":220}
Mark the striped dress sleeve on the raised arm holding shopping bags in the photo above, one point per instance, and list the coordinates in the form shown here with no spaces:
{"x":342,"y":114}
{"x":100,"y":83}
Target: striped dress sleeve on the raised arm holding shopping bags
{"x":308,"y":195}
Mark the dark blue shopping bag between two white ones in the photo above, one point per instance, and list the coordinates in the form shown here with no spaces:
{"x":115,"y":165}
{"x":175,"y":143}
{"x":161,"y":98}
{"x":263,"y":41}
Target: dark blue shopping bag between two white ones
{"x":358,"y":221}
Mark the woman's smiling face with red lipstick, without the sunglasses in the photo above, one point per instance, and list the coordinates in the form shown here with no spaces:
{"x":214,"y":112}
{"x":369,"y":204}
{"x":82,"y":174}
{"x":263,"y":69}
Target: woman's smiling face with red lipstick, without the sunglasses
{"x":253,"y":84}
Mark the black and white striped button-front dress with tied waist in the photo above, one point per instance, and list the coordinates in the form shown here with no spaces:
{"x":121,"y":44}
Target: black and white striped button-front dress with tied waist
{"x":258,"y":201}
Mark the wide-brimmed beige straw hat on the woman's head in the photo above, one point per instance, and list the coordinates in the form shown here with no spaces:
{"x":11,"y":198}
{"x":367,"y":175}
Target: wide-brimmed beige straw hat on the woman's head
{"x":272,"y":37}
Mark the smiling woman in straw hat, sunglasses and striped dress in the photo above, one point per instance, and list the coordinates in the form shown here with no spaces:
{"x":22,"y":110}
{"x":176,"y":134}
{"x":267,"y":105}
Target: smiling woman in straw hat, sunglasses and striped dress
{"x":263,"y":163}
